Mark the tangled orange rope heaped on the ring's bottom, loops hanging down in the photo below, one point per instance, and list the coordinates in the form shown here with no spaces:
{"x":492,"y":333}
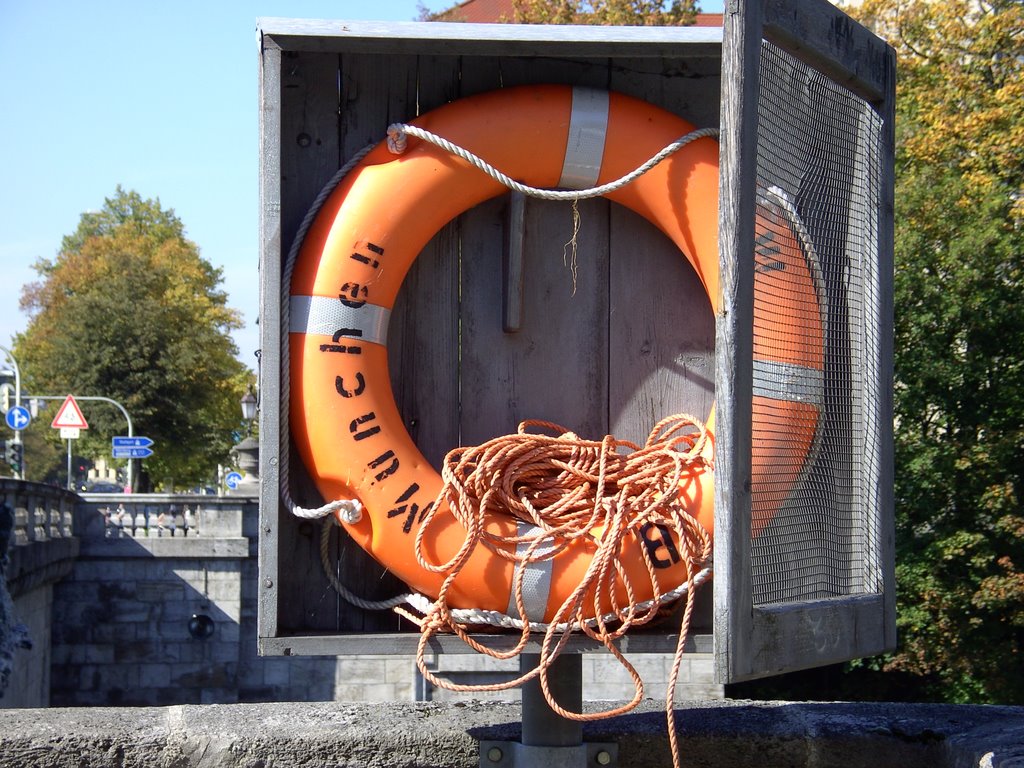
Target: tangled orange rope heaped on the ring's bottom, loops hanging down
{"x":568,"y":487}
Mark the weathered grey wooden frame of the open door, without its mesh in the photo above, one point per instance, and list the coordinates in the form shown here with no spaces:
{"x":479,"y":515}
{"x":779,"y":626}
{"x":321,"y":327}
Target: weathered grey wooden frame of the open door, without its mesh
{"x":753,"y":642}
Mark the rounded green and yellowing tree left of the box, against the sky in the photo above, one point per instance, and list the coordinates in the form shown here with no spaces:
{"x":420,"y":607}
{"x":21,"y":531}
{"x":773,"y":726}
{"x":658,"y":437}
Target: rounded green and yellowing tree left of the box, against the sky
{"x":130,"y":311}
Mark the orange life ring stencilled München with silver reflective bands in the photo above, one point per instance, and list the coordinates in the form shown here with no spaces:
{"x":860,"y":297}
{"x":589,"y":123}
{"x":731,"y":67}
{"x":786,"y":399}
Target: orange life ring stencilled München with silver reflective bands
{"x":345,"y":419}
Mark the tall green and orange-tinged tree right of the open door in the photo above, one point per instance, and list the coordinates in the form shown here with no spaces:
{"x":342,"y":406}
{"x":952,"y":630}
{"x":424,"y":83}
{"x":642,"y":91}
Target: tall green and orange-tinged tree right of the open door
{"x":960,"y":346}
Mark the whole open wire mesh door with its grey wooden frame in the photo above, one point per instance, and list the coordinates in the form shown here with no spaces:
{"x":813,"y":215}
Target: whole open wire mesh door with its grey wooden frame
{"x":806,"y":482}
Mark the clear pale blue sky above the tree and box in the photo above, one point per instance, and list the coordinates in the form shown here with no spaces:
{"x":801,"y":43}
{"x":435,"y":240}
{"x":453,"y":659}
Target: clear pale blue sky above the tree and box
{"x":158,"y":98}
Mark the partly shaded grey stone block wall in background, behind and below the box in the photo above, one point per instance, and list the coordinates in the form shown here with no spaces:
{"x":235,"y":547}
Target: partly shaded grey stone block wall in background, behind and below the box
{"x":121,"y":627}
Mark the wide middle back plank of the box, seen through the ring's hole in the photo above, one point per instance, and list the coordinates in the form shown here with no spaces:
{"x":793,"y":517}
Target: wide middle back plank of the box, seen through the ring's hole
{"x":554,"y":368}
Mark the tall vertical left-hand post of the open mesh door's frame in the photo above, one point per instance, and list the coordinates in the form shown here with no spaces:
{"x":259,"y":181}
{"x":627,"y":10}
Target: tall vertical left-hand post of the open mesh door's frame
{"x":735,"y":350}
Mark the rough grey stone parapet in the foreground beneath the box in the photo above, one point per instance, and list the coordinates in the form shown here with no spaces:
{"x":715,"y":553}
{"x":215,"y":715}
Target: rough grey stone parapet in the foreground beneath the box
{"x":436,"y":736}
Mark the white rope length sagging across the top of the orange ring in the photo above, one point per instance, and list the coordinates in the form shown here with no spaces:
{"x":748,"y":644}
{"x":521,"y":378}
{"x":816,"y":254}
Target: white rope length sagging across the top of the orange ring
{"x":397,"y":143}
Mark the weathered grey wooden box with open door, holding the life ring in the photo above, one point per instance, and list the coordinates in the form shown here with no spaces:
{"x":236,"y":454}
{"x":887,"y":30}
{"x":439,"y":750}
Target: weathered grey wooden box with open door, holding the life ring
{"x":613,"y":347}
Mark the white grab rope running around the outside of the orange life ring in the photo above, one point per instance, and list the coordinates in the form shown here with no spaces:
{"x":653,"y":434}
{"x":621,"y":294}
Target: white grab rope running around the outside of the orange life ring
{"x":352,"y":509}
